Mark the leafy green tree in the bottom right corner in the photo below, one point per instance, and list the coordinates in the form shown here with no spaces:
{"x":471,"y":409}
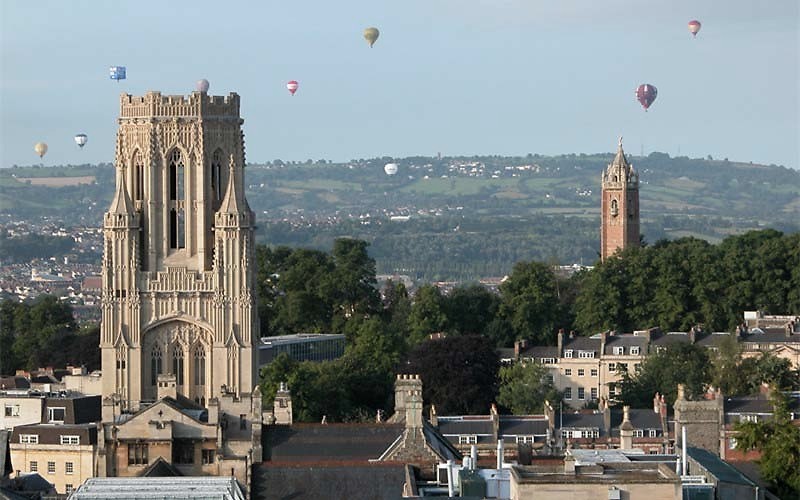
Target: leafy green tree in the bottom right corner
{"x":778,"y":440}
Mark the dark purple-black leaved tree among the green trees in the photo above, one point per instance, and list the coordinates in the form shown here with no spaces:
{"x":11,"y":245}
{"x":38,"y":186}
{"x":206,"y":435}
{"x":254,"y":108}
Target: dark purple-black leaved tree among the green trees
{"x":459,"y":374}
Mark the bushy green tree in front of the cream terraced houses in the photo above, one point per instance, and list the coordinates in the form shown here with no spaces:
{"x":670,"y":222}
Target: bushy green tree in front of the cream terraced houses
{"x":679,"y":363}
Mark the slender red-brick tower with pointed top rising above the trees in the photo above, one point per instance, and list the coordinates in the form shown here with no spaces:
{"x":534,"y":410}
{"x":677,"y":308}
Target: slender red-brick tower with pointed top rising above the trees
{"x":619,"y":206}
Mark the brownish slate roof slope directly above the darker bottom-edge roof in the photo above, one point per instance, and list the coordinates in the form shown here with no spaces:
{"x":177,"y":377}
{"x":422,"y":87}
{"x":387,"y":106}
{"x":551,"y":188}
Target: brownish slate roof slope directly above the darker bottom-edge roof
{"x":307,"y":443}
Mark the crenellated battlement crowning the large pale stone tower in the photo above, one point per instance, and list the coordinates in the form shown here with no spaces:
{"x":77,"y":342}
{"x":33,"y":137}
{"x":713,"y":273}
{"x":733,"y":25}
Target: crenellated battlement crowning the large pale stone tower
{"x":196,"y":104}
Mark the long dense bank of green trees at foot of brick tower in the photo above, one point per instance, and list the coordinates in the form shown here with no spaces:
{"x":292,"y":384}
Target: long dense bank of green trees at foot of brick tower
{"x":681,"y":283}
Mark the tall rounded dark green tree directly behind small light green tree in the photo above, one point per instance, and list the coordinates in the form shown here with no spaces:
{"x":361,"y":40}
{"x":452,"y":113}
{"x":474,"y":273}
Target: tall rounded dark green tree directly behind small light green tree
{"x":530,"y":301}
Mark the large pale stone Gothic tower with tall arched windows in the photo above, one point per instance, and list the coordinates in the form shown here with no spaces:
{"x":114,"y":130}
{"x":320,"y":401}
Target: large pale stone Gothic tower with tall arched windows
{"x":178,"y":268}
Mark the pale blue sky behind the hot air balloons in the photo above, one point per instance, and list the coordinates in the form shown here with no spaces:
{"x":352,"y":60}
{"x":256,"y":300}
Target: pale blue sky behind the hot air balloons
{"x":456,"y":77}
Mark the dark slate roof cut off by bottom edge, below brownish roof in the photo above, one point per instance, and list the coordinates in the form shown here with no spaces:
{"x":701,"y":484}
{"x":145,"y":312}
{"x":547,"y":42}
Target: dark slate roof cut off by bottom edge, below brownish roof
{"x":377,"y":481}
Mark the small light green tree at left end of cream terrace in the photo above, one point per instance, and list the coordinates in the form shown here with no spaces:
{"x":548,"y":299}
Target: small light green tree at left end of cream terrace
{"x":525,"y":387}
